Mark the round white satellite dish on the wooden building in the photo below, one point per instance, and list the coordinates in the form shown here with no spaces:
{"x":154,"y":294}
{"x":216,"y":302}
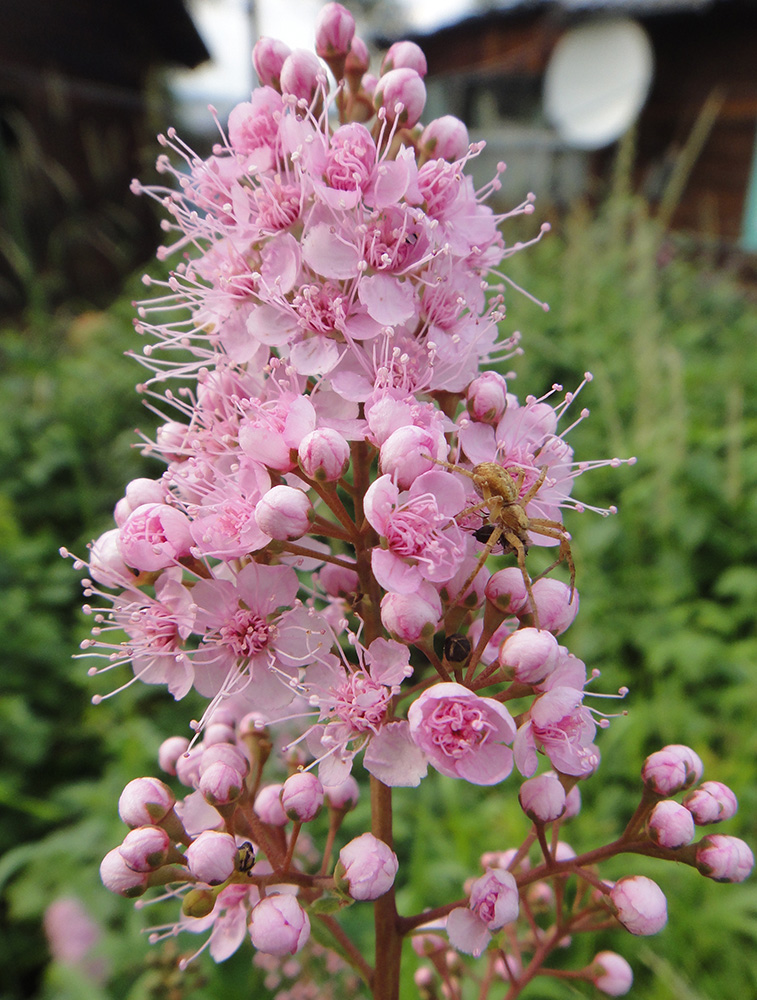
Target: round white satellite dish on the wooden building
{"x":597,"y":81}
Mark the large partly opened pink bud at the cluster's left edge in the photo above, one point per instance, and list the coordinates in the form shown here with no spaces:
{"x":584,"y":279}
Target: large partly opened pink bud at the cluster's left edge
{"x":155,"y":536}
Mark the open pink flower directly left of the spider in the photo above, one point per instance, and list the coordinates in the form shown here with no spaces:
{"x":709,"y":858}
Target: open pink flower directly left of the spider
{"x":423,"y":542}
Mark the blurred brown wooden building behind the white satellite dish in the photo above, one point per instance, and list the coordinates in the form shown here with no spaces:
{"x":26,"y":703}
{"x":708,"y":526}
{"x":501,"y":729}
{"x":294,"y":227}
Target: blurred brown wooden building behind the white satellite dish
{"x":489,"y":70}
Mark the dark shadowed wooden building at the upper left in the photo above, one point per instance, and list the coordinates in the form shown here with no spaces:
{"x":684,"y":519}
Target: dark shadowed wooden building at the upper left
{"x":76,"y":80}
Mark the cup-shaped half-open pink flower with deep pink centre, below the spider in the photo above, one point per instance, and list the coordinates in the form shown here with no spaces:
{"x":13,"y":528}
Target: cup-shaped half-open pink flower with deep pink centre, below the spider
{"x":462,"y":734}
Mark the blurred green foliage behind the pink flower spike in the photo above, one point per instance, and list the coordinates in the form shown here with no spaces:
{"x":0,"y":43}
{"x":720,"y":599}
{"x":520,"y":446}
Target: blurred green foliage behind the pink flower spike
{"x":668,"y":593}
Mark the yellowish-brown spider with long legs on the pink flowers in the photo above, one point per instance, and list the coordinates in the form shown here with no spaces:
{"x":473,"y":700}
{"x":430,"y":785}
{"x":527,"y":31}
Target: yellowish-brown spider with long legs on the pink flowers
{"x":508,"y":521}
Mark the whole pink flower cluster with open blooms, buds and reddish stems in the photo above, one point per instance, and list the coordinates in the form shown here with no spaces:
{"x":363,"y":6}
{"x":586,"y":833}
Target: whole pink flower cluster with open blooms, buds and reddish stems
{"x":315,"y":562}
